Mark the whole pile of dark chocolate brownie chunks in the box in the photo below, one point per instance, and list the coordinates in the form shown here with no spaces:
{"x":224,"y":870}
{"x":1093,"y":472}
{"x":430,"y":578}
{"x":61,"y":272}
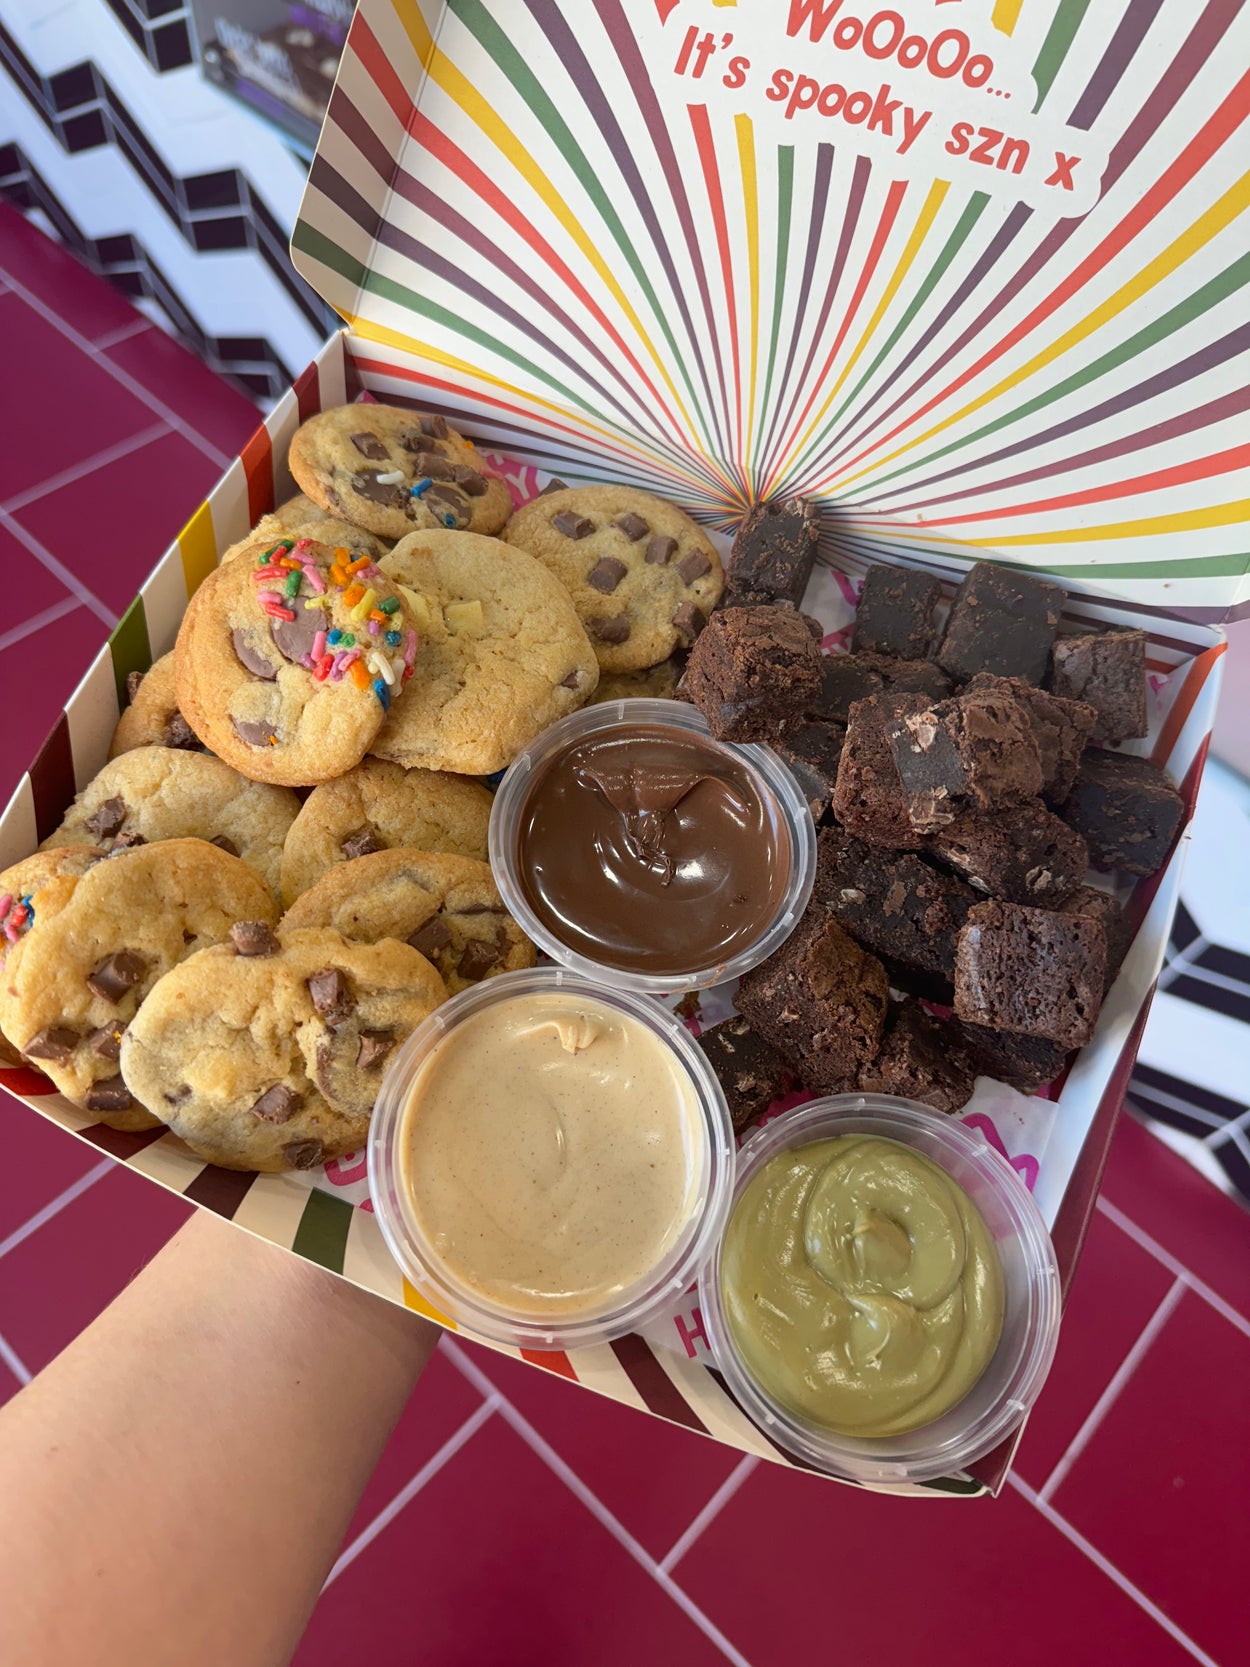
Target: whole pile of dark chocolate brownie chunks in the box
{"x":962,"y":784}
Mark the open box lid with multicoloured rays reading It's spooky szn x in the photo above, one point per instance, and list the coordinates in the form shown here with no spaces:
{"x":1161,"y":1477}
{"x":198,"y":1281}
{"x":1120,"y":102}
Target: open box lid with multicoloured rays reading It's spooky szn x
{"x":967,"y":271}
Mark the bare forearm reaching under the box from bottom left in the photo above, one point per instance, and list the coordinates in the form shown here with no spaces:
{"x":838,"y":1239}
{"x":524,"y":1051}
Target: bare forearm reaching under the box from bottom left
{"x":176,"y":1486}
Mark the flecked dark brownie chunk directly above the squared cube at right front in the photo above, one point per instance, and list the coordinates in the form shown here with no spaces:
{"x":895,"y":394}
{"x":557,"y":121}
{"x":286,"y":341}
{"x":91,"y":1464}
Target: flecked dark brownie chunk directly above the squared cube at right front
{"x":1022,"y":854}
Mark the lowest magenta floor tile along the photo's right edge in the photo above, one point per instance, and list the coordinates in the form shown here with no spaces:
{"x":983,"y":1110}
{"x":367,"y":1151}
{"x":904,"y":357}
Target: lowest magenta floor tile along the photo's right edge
{"x":1162,"y":1486}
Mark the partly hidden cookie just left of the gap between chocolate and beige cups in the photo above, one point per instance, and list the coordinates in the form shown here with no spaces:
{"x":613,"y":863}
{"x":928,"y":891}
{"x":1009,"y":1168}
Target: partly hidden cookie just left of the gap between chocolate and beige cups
{"x":446,"y":908}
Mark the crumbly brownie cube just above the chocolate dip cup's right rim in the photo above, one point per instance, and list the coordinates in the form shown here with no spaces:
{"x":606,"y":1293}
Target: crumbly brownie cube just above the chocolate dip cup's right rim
{"x":754,"y":673}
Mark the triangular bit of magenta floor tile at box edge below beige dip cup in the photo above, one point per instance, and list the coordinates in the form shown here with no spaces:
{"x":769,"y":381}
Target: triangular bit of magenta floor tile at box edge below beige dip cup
{"x":652,"y":1476}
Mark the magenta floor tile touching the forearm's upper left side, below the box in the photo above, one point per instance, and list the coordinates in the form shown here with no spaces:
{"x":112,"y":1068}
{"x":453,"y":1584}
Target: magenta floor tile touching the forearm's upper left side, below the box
{"x":57,"y":1281}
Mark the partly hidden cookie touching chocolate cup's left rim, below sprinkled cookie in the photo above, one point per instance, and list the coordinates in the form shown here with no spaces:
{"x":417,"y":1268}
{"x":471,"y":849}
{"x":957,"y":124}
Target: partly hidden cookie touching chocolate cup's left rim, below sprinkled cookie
{"x":379,"y":808}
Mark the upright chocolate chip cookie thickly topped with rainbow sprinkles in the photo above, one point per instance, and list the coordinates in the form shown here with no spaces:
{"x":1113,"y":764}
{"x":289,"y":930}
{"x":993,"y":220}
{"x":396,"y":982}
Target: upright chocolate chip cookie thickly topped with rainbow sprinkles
{"x":289,"y":659}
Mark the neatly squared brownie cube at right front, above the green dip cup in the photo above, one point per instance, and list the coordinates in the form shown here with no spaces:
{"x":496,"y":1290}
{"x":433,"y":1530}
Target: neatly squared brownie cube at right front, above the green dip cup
{"x":1031,"y":971}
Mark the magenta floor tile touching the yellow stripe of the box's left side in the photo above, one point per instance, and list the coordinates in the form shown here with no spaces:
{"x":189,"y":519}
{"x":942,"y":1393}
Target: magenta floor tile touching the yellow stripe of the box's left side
{"x":112,"y":526}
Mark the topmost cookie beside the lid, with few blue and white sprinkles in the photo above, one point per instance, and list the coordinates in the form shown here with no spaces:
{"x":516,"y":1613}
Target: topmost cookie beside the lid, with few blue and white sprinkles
{"x":394,"y":471}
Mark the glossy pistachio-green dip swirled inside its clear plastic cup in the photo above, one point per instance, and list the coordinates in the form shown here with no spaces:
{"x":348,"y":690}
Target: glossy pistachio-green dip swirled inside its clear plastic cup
{"x":862,"y":1286}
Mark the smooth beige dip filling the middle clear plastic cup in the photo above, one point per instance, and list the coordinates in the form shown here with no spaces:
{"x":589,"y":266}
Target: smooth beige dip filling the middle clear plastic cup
{"x":552,"y":1151}
